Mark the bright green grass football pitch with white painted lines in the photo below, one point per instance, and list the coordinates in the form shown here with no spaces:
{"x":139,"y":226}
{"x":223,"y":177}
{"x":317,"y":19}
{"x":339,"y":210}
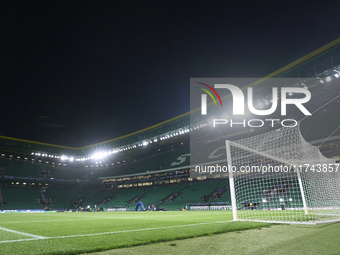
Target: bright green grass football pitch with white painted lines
{"x":76,"y":233}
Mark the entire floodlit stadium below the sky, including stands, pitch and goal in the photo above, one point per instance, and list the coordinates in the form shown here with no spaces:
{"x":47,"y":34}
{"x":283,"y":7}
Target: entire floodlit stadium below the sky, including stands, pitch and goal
{"x":143,"y":187}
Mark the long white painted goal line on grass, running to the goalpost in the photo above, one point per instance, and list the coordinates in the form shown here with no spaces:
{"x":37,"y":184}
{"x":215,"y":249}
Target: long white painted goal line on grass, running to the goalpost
{"x":108,"y":233}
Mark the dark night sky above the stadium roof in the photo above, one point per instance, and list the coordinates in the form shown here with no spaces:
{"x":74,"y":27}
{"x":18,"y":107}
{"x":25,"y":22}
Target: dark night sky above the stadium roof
{"x":80,"y":72}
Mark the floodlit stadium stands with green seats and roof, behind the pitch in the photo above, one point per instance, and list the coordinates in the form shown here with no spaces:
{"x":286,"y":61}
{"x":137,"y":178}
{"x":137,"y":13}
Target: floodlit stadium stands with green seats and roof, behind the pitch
{"x":152,"y":165}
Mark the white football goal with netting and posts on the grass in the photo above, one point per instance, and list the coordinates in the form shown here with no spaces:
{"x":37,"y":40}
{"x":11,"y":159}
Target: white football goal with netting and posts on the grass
{"x":279,"y":177}
